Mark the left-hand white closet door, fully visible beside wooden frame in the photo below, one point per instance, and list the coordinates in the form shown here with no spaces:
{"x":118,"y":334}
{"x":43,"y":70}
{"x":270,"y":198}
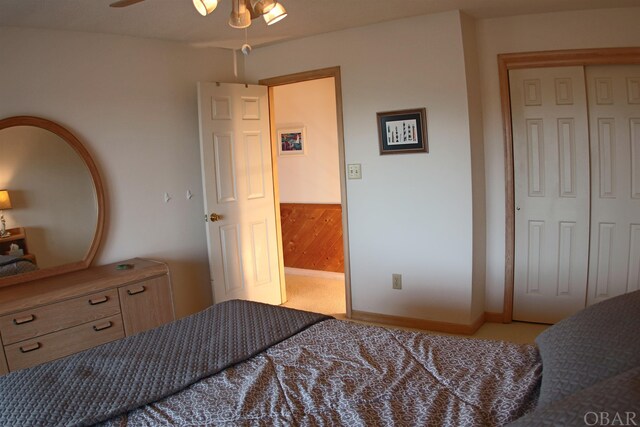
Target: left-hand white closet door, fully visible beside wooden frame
{"x":551,"y":172}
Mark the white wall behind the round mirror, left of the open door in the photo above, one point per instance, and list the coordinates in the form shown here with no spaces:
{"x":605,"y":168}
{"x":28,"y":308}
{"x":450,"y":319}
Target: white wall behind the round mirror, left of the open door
{"x":132,"y":102}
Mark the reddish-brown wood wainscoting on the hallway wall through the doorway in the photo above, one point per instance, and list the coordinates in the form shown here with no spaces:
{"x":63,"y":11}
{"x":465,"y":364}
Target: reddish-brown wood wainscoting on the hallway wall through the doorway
{"x":312,"y":236}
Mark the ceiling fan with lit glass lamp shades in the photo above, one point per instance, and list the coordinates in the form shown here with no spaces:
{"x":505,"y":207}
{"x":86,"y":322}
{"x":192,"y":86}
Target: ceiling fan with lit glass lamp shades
{"x":242,"y":13}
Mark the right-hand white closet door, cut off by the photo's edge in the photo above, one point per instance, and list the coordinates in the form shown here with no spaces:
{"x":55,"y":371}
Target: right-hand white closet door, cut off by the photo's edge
{"x":614,"y":117}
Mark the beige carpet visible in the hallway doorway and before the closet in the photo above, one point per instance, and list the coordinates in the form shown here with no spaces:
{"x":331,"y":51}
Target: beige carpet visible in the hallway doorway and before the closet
{"x":327,"y":296}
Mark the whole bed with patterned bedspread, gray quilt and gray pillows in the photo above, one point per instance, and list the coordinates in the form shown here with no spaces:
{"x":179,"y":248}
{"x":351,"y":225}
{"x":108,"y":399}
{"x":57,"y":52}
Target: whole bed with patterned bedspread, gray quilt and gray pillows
{"x":244,"y":363}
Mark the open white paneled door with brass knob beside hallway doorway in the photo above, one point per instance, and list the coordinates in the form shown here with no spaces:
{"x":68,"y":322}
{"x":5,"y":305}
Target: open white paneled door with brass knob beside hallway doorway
{"x":238,"y":185}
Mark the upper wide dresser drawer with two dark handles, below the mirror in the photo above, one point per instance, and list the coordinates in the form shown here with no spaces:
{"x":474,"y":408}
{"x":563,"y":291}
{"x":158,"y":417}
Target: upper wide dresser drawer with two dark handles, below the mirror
{"x":55,"y":317}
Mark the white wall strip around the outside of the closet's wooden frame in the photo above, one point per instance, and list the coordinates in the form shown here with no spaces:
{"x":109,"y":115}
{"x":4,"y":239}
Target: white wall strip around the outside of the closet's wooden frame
{"x":566,"y":30}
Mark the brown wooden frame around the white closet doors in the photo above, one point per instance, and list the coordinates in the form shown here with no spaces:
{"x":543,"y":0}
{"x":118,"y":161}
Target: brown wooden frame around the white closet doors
{"x":510,"y":61}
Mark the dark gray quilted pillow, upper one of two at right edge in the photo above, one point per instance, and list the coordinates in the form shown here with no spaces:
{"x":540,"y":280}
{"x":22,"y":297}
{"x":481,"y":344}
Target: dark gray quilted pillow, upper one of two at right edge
{"x":597,"y":343}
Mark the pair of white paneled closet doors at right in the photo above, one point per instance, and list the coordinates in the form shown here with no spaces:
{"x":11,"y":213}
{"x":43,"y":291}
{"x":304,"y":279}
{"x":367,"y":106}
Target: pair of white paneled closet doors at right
{"x":576,"y":136}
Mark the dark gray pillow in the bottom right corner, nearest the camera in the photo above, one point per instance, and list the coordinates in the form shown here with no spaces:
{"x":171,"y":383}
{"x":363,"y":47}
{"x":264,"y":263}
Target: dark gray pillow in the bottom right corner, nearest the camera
{"x":614,"y":401}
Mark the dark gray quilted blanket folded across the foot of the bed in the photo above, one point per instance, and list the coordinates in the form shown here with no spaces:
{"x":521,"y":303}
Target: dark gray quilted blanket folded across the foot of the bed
{"x":114,"y":378}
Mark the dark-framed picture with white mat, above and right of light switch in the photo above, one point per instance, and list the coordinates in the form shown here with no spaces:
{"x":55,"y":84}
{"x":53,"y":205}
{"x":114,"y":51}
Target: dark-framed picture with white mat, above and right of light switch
{"x":403,"y":131}
